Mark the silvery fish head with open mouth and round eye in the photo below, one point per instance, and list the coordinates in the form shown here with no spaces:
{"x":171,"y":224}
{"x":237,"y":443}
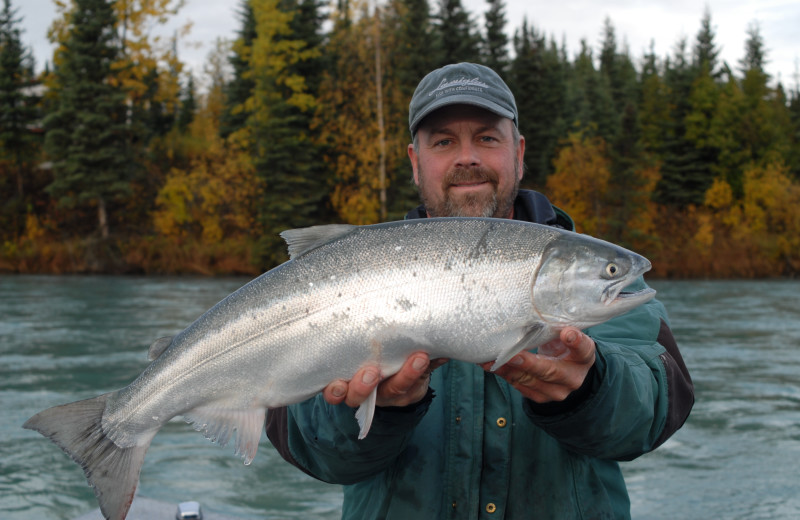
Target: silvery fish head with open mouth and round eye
{"x":581,"y":281}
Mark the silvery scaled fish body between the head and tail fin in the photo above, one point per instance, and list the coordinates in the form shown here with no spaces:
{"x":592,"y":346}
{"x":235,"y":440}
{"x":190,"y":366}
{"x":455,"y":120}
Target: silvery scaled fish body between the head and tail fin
{"x":315,"y":311}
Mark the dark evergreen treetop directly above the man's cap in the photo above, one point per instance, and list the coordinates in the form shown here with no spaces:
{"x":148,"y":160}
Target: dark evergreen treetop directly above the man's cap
{"x":458,"y":39}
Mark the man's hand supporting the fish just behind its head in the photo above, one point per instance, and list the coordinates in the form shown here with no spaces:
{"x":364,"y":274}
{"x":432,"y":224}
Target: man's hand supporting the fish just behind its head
{"x":556,"y":371}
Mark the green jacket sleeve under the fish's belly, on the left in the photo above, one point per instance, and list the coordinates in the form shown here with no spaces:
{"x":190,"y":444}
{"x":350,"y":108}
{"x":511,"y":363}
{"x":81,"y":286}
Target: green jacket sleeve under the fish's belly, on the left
{"x":322,"y":440}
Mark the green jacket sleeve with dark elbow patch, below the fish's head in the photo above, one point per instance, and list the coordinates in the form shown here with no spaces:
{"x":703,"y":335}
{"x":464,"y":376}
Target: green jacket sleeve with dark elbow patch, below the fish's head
{"x":638,"y":394}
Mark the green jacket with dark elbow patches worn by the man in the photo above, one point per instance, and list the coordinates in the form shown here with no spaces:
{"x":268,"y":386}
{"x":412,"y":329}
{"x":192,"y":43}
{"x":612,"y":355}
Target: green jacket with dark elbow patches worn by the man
{"x":475,"y":448}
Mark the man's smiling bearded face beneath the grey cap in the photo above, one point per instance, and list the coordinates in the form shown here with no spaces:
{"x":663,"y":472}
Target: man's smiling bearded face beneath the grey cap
{"x":468,"y":163}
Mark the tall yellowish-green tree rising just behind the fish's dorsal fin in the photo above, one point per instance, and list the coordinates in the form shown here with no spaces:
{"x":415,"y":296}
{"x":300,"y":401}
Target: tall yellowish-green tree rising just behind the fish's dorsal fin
{"x":284,"y":155}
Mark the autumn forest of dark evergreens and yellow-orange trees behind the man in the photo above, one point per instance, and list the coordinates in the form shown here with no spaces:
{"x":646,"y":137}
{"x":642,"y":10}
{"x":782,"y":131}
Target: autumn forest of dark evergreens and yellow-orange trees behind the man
{"x":116,"y":158}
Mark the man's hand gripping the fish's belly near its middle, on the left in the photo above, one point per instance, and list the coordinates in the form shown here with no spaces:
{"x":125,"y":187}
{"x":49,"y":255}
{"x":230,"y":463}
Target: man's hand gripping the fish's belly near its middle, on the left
{"x":406,"y":387}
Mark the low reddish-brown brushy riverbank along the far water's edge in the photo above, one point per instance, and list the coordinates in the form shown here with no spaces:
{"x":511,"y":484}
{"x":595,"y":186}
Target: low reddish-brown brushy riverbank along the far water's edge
{"x":685,"y":256}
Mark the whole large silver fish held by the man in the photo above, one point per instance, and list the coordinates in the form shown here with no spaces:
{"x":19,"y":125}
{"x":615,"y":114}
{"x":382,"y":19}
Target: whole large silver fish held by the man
{"x":471,"y":289}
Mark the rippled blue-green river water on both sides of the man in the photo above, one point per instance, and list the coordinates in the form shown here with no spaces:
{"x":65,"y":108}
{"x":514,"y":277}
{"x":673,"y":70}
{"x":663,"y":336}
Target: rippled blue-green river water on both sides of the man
{"x":69,"y":338}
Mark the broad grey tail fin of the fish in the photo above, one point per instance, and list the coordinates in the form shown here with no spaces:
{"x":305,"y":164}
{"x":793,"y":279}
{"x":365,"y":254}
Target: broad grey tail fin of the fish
{"x":112,"y":471}
